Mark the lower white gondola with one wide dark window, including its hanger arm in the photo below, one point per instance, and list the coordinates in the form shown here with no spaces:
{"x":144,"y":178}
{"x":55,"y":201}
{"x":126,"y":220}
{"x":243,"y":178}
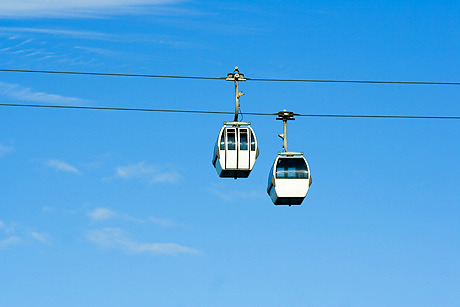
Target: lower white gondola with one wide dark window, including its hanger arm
{"x":289,"y":178}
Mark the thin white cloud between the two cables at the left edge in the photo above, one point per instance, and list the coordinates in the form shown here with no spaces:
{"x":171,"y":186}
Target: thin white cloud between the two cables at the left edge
{"x":18,"y":92}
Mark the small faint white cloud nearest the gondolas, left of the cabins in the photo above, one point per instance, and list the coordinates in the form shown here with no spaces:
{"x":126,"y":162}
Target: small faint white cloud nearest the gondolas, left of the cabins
{"x":153,"y":174}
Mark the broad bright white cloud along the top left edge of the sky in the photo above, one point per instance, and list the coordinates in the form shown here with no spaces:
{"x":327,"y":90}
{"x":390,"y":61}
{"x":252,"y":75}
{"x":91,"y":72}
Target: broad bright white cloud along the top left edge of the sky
{"x":73,"y":8}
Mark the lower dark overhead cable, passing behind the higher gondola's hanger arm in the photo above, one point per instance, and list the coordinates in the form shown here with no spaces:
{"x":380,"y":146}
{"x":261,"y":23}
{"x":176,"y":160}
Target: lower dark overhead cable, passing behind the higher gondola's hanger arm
{"x":224,"y":112}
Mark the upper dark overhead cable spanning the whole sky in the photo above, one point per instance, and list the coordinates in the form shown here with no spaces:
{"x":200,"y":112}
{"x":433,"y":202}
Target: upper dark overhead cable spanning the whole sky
{"x":223,"y":78}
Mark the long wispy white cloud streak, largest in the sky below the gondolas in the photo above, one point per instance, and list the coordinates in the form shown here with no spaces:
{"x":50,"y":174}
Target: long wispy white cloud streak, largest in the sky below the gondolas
{"x":117,"y":238}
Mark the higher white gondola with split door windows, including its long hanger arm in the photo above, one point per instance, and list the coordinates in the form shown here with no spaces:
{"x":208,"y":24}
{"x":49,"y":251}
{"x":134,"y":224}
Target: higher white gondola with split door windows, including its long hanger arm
{"x":236,"y":148}
